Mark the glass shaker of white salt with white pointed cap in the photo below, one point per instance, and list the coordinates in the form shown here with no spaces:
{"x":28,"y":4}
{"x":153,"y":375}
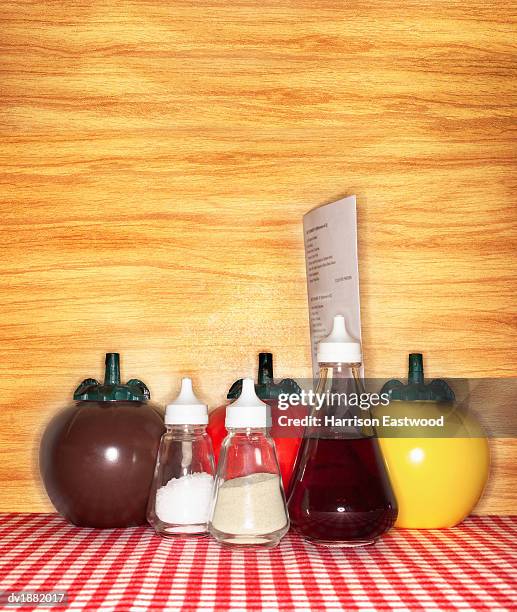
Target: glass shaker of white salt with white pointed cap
{"x":181,"y":493}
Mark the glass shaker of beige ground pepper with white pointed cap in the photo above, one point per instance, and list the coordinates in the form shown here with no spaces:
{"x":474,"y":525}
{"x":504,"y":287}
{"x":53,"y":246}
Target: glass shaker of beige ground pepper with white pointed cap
{"x":249,"y":504}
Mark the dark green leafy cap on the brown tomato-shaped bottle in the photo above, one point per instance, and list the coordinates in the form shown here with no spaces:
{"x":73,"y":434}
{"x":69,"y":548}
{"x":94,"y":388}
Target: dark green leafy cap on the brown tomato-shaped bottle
{"x":91,"y":390}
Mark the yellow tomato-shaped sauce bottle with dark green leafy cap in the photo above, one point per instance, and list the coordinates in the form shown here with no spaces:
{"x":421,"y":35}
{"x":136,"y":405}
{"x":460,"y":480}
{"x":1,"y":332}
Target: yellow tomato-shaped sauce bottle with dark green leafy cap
{"x":438,"y":472}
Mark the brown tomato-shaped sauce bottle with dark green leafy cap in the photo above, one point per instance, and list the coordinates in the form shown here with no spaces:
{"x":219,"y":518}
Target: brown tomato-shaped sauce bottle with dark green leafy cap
{"x":97,"y":456}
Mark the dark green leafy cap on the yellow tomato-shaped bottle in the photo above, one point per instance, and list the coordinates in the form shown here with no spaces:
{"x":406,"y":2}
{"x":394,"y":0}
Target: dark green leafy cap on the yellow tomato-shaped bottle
{"x":416,"y":389}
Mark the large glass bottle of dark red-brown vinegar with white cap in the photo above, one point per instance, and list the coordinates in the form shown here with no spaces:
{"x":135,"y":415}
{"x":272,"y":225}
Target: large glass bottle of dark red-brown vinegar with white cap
{"x":340,"y":491}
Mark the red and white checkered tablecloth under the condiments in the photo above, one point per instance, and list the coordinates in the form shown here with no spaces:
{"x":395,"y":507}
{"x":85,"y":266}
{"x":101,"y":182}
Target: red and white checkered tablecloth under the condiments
{"x":473,"y":567}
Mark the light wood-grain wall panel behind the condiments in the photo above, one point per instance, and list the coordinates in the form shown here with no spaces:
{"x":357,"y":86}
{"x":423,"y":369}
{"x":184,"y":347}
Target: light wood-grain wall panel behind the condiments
{"x":156,"y":161}
